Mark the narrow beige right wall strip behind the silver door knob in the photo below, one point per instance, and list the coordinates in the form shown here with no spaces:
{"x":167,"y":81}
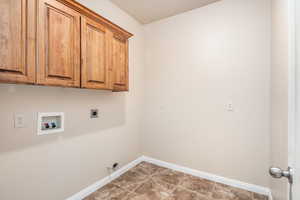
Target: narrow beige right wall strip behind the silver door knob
{"x":279,"y":88}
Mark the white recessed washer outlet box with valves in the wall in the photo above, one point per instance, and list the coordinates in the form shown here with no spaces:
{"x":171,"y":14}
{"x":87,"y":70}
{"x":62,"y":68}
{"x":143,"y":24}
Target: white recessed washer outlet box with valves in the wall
{"x":49,"y":123}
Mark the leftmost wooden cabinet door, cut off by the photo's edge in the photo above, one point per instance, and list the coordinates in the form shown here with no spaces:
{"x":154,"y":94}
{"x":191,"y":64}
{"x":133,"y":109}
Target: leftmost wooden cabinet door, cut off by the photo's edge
{"x":17,"y":41}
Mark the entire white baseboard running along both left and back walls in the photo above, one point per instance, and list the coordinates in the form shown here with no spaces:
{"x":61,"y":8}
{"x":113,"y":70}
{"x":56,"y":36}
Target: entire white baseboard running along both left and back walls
{"x":231,"y":182}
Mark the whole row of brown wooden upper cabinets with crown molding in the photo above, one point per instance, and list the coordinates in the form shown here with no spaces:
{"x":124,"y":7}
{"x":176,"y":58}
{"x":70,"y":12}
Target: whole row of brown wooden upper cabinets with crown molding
{"x":61,"y":43}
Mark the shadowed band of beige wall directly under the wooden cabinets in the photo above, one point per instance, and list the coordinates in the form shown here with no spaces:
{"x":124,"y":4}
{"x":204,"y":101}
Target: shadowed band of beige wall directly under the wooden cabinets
{"x":76,"y":103}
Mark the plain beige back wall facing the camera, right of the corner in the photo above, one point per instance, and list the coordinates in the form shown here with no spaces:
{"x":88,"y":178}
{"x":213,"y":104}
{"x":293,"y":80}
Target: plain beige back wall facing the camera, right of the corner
{"x":196,"y":63}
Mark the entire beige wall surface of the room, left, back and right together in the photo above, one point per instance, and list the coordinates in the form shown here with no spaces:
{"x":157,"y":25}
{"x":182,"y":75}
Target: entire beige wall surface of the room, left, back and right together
{"x":196,"y":63}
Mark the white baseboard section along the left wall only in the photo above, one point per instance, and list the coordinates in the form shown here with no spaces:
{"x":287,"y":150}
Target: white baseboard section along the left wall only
{"x":94,"y":187}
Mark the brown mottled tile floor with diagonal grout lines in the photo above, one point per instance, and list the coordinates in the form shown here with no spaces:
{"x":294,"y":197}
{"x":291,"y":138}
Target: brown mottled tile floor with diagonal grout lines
{"x":150,"y":182}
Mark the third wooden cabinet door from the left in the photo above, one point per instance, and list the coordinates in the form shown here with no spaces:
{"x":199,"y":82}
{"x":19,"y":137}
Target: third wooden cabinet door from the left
{"x":94,"y":52}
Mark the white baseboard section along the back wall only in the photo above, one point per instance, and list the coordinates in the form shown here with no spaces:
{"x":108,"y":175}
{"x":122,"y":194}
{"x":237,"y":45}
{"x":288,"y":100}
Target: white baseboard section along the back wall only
{"x":212,"y":177}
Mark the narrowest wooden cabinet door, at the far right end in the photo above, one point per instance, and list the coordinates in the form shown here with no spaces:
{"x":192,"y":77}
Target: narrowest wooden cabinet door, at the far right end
{"x":120,"y":63}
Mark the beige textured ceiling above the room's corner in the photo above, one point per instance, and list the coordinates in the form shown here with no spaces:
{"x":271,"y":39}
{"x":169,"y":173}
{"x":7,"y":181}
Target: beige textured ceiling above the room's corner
{"x":147,"y":11}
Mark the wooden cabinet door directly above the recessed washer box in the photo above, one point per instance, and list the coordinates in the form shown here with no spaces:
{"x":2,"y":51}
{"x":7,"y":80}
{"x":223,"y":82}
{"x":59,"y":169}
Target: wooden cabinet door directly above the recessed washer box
{"x":58,"y":45}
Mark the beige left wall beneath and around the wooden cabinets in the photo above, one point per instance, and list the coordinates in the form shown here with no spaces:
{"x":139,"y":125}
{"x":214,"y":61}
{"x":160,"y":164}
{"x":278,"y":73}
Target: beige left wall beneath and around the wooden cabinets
{"x":57,"y":166}
